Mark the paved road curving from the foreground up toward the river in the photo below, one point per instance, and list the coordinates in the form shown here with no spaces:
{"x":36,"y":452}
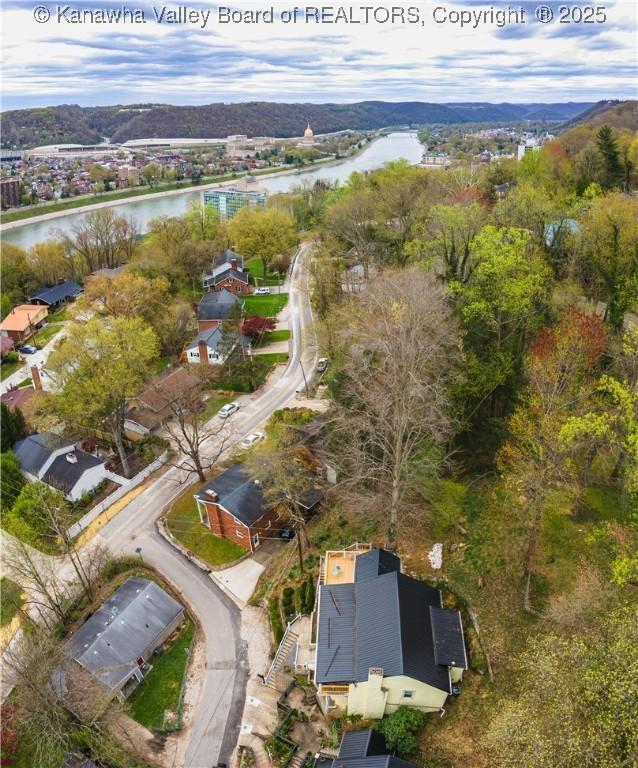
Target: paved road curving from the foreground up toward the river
{"x":216,"y":722}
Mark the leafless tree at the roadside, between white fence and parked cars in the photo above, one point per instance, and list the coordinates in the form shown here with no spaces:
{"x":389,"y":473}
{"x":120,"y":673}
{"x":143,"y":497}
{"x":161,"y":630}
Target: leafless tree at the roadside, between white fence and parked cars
{"x":199,"y":443}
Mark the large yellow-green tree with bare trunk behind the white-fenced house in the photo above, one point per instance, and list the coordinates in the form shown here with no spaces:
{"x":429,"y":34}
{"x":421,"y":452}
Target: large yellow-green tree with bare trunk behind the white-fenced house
{"x":99,"y":368}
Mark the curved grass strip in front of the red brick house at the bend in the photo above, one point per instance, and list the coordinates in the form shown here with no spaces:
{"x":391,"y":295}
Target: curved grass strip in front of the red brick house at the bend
{"x":183,"y":522}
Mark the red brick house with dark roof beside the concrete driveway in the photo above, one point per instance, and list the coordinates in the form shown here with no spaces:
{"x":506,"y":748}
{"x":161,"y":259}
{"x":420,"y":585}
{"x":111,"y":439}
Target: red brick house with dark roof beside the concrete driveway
{"x":233,"y":506}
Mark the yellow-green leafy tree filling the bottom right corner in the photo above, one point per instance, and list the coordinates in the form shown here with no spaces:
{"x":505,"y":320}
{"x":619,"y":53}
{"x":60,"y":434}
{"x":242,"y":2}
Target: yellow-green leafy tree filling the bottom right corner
{"x":572,"y":709}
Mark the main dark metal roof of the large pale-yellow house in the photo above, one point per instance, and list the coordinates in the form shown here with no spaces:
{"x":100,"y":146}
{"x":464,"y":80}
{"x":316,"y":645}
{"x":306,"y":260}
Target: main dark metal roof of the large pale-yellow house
{"x":381,"y":621}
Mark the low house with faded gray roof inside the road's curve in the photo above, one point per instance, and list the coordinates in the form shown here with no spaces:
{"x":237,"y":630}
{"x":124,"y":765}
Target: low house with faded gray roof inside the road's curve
{"x":113,"y":646}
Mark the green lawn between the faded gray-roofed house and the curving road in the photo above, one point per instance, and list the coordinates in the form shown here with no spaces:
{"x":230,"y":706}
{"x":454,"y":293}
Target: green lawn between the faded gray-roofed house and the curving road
{"x":160,"y":690}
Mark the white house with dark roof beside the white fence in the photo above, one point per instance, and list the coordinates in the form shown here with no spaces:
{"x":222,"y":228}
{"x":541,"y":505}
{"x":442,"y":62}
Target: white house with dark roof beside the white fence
{"x":56,"y":461}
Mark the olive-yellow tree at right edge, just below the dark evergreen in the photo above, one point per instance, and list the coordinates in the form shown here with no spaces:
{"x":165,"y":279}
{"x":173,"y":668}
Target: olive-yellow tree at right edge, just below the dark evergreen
{"x":610,"y":249}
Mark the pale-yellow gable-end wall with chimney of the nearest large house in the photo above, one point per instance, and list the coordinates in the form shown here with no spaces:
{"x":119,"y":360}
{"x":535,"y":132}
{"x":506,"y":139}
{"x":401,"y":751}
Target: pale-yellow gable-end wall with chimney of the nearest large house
{"x":361,"y":700}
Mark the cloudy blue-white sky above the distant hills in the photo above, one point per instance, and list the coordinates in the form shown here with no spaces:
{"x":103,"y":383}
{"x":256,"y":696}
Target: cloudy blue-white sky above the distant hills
{"x":92,"y":64}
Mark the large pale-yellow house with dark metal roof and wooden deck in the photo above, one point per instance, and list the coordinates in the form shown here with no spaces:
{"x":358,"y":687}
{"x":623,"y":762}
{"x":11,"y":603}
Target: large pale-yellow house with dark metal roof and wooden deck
{"x":383,"y":639}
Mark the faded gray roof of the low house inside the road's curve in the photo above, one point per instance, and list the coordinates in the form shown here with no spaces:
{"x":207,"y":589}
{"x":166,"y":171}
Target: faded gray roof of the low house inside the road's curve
{"x":109,"y":643}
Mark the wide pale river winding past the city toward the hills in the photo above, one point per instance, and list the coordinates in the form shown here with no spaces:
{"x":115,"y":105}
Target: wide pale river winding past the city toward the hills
{"x":392,"y":147}
